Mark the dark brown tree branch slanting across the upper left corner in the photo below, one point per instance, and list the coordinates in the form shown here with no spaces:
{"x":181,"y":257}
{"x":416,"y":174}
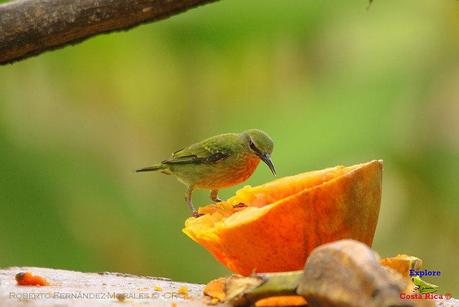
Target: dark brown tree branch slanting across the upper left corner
{"x":30,"y":27}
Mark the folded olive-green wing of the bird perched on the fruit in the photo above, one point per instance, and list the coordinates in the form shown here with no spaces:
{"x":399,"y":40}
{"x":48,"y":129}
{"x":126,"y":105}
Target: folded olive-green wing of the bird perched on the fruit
{"x":209,"y":152}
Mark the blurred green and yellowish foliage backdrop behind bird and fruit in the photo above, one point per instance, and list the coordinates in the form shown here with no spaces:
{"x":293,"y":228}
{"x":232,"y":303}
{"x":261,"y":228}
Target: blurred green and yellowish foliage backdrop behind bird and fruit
{"x":331,"y":82}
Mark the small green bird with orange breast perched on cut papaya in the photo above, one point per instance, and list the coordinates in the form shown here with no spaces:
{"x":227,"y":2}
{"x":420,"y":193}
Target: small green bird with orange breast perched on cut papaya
{"x":218,"y":162}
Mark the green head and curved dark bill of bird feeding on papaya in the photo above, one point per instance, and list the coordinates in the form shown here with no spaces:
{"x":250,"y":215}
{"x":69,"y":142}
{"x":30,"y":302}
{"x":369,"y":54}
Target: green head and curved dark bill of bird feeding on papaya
{"x":261,"y":145}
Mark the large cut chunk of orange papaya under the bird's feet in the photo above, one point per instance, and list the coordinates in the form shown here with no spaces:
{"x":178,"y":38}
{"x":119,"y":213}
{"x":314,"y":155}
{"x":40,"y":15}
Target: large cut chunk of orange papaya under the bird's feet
{"x":280,"y":222}
